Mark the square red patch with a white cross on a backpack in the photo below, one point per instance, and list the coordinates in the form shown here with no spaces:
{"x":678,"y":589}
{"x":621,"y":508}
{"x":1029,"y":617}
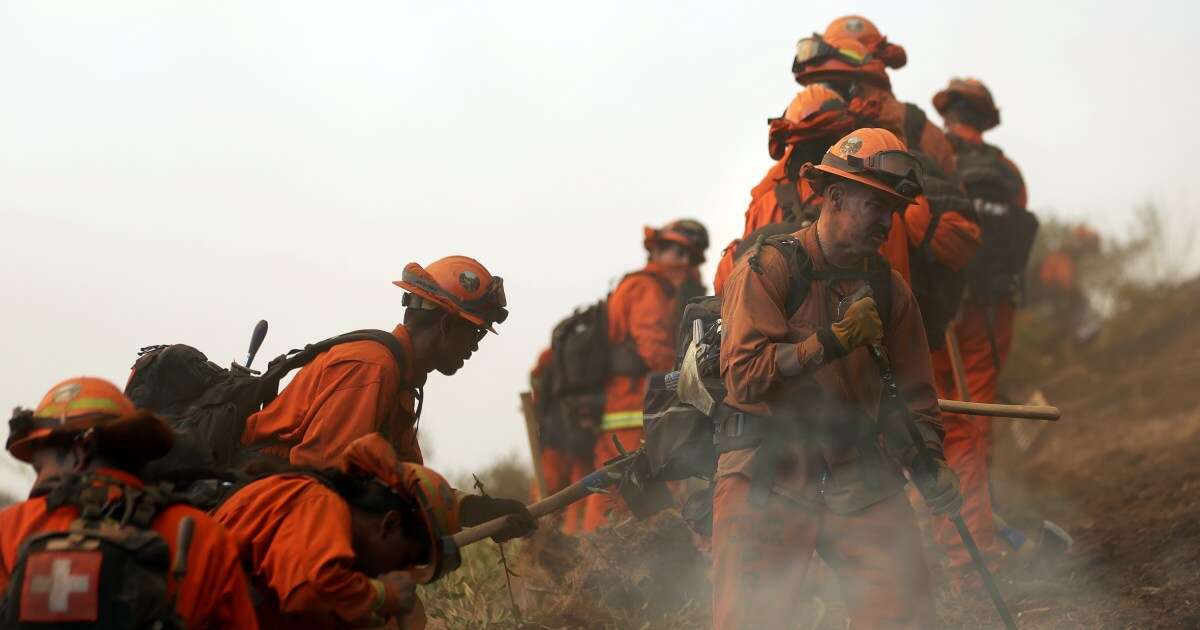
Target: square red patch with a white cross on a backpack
{"x":62,"y":586}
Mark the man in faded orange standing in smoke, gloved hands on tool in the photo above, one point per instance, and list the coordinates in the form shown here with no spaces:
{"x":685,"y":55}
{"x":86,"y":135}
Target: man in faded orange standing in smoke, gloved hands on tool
{"x":806,"y":464}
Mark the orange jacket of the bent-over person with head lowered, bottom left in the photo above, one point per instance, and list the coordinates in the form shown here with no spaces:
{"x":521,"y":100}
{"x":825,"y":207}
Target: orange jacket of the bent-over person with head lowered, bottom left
{"x":295,"y":533}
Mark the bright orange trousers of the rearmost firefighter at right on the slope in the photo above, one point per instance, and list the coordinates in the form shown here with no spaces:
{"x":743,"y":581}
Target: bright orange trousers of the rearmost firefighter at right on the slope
{"x":969,"y":439}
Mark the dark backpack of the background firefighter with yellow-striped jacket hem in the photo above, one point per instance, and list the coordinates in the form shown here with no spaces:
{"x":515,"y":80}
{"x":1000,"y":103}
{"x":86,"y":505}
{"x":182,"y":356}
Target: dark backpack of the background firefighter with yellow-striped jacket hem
{"x":583,"y":361}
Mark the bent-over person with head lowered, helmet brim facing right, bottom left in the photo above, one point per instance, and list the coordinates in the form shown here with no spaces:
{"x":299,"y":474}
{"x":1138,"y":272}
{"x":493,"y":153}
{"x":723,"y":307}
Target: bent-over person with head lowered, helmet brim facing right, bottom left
{"x":345,"y":548}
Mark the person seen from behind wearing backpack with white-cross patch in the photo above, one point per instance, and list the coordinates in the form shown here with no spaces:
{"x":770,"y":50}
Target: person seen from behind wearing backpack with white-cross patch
{"x":98,"y":549}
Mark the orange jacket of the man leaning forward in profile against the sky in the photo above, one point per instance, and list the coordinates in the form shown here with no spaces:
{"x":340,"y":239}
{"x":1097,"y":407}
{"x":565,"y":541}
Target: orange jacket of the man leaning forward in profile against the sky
{"x":346,"y":393}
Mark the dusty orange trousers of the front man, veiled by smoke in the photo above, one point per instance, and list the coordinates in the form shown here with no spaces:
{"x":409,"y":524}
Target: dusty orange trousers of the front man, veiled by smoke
{"x":761,"y":556}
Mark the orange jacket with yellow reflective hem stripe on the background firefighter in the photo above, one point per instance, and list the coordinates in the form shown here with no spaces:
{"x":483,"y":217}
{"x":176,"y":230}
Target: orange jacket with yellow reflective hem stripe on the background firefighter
{"x":641,"y":314}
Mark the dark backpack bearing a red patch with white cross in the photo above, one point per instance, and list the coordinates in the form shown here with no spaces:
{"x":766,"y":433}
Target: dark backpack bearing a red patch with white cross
{"x":109,"y":569}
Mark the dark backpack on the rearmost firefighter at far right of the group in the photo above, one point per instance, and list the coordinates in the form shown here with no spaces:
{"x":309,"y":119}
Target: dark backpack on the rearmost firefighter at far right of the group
{"x":998,"y":272}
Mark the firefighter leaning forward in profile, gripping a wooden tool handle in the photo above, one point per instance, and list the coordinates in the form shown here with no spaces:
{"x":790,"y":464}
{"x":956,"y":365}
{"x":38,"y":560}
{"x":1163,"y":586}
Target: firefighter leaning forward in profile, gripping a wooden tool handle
{"x":358,"y":388}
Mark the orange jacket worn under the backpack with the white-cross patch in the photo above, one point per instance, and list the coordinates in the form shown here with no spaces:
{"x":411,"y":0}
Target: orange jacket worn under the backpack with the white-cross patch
{"x":214,"y":591}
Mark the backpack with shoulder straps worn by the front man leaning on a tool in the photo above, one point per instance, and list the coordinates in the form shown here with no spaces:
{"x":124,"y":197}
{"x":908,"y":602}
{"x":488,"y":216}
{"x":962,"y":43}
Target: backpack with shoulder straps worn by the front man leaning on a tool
{"x":680,"y":440}
